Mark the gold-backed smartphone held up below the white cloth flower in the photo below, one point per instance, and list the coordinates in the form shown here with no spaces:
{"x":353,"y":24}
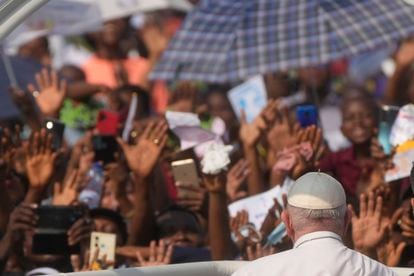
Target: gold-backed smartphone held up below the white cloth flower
{"x":185,"y":171}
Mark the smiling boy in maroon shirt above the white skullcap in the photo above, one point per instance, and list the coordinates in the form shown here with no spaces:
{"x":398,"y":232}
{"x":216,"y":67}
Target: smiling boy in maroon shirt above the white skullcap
{"x":355,"y":164}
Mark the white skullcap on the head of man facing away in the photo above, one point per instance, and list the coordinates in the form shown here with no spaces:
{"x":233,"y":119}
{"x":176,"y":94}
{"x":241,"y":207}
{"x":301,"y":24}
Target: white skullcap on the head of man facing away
{"x":316,"y":190}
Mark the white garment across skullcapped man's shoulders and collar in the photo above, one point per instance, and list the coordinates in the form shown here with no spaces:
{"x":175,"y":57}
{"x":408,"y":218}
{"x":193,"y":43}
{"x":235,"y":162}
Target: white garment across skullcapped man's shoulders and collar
{"x":316,"y":254}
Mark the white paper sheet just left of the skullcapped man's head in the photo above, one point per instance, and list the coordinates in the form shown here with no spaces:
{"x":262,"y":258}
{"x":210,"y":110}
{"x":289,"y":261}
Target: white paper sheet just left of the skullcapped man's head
{"x":258,"y":205}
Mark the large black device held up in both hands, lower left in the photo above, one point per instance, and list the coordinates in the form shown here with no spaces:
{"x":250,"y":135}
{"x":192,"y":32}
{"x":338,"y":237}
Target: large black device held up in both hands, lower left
{"x":50,"y":235}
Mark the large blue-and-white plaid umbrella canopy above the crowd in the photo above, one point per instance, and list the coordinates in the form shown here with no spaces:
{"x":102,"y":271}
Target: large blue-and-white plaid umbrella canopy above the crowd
{"x":231,"y":40}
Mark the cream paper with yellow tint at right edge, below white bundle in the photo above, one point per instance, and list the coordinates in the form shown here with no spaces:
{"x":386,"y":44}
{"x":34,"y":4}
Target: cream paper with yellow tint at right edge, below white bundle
{"x":403,"y":162}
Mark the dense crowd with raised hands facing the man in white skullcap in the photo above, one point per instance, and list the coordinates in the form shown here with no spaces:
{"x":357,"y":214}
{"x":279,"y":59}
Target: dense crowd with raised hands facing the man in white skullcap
{"x":158,"y":221}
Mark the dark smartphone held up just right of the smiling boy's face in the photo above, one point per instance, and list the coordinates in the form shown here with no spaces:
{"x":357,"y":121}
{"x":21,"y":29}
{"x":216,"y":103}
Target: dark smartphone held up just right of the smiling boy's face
{"x":388,"y":114}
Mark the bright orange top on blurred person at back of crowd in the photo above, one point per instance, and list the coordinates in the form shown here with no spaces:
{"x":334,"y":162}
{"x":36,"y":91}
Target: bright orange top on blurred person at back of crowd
{"x":102,"y":71}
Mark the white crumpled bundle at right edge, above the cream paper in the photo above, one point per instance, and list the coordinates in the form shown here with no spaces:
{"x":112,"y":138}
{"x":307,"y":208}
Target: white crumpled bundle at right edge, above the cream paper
{"x":403,"y":128}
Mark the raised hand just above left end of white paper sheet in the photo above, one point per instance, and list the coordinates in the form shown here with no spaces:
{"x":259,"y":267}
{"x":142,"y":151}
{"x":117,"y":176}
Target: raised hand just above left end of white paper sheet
{"x":235,"y":177}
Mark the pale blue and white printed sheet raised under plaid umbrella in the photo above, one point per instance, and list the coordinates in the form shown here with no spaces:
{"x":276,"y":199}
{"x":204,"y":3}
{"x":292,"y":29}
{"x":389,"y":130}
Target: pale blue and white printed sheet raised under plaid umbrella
{"x":249,"y":96}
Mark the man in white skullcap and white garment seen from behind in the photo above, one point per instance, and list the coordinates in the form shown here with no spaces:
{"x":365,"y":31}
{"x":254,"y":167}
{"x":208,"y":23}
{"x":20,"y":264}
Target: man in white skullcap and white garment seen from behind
{"x":316,"y":219}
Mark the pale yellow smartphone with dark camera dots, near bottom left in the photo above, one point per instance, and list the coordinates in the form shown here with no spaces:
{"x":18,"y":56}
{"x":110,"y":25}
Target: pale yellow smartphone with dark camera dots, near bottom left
{"x":106,"y":243}
